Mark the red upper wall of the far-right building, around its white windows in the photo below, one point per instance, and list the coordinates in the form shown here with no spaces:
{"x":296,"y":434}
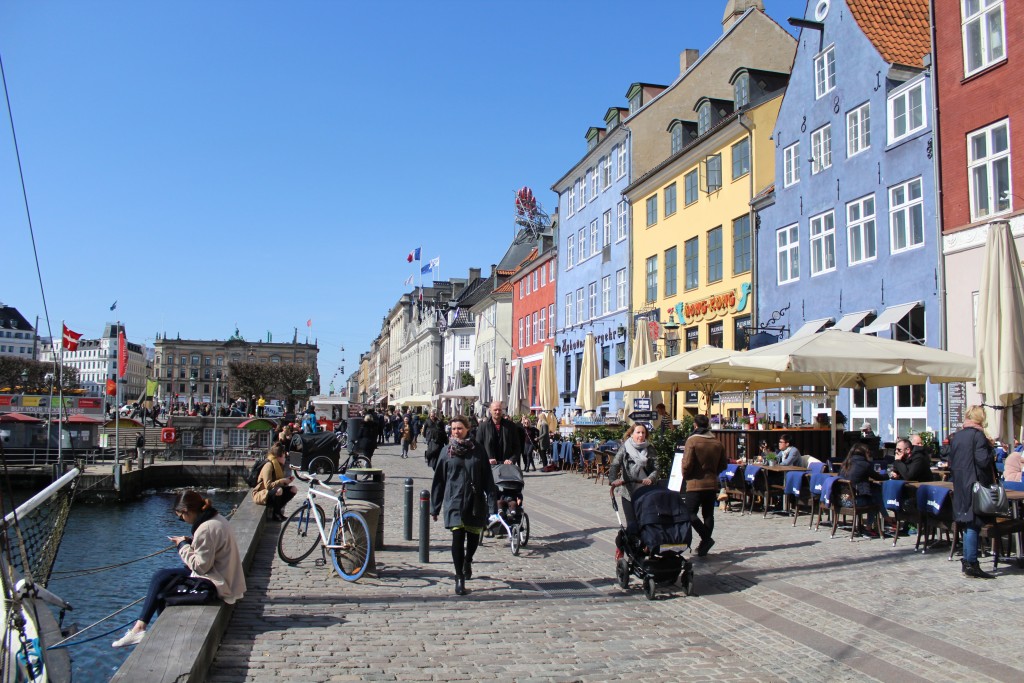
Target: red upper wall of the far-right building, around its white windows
{"x":967,"y":105}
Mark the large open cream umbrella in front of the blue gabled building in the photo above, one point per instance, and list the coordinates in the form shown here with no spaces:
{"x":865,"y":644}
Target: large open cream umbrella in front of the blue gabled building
{"x":836,"y":360}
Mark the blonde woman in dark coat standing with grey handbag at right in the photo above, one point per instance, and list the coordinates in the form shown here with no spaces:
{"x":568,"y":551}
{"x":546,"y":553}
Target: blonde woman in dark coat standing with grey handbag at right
{"x":971,"y":459}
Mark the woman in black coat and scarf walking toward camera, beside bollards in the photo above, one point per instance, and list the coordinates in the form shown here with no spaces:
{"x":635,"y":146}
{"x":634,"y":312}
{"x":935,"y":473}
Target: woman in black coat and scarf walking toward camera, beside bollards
{"x":464,"y":484}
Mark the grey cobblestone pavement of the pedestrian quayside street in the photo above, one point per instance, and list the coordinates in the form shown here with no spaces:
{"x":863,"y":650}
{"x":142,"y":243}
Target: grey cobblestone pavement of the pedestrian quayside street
{"x":774,"y":604}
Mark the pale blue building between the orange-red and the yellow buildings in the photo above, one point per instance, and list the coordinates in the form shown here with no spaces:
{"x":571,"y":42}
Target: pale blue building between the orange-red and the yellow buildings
{"x":592,"y":294}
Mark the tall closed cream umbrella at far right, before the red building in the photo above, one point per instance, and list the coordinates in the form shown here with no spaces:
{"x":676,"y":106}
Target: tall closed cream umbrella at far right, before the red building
{"x":999,"y":334}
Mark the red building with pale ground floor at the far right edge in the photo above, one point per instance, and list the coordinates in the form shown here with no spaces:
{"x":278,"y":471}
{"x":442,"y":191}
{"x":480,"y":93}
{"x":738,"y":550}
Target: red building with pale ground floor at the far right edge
{"x":980,"y":144}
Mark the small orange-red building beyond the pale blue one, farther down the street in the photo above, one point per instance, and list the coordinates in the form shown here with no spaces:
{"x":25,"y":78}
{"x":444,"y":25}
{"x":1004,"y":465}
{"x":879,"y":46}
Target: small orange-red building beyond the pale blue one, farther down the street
{"x":534,"y":315}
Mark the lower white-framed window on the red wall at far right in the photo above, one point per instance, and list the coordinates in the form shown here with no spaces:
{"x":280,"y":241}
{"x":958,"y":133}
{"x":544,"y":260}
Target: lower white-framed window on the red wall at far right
{"x":989,"y":166}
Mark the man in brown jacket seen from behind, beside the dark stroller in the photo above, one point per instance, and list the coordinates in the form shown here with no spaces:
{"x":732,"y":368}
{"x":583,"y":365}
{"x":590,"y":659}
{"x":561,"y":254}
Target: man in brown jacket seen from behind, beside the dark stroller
{"x":704,"y":459}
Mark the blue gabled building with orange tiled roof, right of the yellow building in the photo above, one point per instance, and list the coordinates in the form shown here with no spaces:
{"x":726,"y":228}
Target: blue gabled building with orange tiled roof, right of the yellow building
{"x":849,"y":238}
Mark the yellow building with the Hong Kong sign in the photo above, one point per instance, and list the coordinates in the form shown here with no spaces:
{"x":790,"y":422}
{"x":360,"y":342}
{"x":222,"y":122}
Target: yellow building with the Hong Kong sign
{"x":694,"y":235}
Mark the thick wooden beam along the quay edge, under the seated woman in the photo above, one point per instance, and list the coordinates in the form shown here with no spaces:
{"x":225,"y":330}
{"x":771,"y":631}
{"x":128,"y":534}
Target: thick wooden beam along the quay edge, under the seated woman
{"x":183,"y":642}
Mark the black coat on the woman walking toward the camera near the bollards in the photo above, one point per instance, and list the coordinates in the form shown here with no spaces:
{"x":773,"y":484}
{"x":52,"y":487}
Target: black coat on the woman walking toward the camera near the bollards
{"x":451,"y":487}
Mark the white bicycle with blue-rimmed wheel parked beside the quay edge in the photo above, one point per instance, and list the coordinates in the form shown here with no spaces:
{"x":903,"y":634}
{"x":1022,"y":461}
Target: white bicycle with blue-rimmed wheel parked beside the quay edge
{"x":350,"y":543}
